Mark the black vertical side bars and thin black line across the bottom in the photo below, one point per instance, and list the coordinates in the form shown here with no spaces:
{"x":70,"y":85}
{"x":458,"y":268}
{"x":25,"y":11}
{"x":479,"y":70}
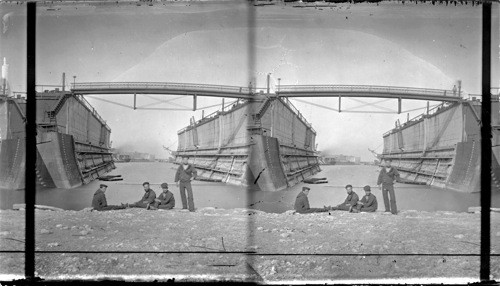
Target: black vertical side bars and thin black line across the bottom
{"x":486,"y":159}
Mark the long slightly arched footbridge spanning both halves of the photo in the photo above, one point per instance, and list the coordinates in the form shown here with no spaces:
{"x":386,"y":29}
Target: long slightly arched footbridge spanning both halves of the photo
{"x":285,"y":91}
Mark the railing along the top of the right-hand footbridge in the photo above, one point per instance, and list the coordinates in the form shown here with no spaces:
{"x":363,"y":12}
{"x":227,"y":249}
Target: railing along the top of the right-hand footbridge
{"x":367,"y":88}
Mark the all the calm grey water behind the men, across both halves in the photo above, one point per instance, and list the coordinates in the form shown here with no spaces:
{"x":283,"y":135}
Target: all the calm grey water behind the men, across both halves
{"x":207,"y":194}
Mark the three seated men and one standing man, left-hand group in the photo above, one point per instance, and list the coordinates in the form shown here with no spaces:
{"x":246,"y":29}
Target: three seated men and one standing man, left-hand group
{"x":183,"y":177}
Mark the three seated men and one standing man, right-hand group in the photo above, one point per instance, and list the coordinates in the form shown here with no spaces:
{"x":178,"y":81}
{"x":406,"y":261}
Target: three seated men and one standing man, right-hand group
{"x":387,"y":176}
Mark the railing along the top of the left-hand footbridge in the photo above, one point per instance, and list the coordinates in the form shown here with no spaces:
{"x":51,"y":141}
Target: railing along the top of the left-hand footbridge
{"x":159,"y":85}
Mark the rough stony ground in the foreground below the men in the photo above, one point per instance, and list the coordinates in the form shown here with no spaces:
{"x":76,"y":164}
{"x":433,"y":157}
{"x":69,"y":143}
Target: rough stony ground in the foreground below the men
{"x":363,"y":241}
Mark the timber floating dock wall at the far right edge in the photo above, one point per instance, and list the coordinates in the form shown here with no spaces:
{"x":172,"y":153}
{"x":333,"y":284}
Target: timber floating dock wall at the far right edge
{"x":442,"y":148}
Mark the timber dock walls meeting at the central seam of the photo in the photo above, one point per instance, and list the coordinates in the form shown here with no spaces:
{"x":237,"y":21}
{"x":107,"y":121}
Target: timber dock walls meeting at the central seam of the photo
{"x":264,"y":143}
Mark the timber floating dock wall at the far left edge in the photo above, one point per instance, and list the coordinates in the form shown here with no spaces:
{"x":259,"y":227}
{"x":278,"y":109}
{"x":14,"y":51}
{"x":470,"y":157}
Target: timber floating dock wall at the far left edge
{"x":73,"y":141}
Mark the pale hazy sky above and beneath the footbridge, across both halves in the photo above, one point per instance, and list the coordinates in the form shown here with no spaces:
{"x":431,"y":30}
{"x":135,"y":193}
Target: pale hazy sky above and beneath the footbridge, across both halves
{"x":390,"y":44}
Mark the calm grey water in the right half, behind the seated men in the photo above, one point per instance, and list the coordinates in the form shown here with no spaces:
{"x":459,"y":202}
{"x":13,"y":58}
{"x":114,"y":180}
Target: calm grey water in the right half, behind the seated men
{"x":408,"y":197}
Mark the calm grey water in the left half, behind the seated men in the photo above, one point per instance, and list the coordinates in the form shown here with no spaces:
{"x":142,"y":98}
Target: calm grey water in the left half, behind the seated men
{"x":130,"y":189}
